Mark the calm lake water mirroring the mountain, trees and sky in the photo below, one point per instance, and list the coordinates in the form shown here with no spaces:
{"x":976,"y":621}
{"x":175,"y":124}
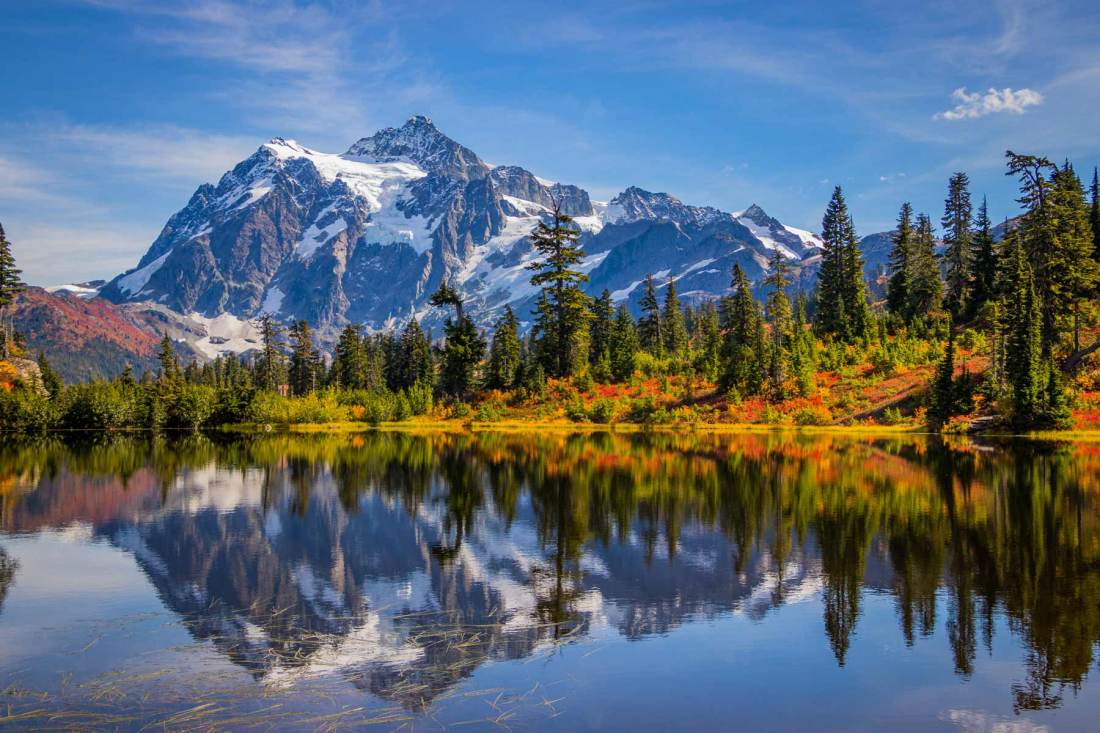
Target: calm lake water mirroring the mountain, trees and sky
{"x":559,"y":583}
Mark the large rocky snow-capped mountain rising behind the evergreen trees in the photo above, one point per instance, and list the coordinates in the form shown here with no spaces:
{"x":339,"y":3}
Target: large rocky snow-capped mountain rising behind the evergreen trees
{"x":367,"y":237}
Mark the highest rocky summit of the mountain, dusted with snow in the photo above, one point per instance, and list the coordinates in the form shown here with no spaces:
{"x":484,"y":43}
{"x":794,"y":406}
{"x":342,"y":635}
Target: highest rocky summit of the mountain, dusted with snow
{"x":422,"y":143}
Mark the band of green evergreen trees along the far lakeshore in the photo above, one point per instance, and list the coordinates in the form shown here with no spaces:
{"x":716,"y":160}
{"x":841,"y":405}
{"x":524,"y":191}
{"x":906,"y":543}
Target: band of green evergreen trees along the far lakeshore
{"x":1032,"y":296}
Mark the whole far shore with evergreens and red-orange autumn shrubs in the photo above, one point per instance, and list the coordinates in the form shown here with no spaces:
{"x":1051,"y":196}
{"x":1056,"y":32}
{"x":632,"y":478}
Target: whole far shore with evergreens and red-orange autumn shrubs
{"x":992,"y":334}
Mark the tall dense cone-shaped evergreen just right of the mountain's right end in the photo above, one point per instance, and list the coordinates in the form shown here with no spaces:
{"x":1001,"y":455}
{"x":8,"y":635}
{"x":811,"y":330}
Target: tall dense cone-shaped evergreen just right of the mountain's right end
{"x":843,"y":311}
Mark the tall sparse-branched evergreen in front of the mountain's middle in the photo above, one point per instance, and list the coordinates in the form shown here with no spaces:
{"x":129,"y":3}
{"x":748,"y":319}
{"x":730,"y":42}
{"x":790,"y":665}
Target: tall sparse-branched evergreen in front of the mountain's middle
{"x":564,"y":316}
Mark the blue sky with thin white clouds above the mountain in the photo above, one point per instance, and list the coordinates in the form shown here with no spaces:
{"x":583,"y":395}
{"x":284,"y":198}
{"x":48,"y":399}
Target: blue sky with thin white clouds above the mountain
{"x":113,"y":112}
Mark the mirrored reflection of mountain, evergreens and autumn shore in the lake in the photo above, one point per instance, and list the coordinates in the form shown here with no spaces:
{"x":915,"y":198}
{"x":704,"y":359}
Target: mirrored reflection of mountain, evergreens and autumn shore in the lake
{"x":403,"y":563}
